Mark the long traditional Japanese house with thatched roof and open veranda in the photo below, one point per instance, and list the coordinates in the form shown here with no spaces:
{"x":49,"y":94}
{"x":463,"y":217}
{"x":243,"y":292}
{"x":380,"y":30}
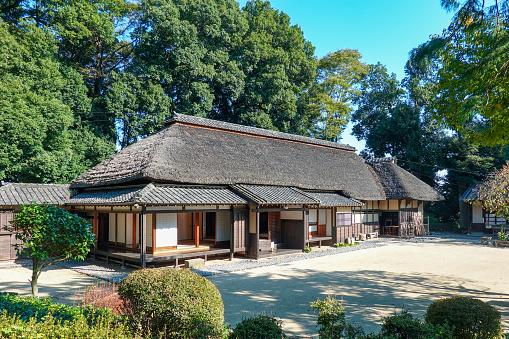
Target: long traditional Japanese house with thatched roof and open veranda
{"x":206,"y":186}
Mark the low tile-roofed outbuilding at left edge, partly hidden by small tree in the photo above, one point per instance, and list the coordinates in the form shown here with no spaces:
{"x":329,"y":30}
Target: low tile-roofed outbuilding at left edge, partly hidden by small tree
{"x":14,"y":194}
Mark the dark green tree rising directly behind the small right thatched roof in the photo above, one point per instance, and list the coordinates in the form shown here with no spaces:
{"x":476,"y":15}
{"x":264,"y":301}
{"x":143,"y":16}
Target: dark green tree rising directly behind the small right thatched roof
{"x":393,"y":124}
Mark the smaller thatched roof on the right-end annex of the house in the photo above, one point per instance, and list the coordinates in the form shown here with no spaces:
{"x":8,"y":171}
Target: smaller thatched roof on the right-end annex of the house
{"x":401,"y":184}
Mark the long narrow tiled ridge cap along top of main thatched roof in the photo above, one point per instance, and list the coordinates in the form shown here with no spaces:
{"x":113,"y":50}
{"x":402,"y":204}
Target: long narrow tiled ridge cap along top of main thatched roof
{"x":257,"y":131}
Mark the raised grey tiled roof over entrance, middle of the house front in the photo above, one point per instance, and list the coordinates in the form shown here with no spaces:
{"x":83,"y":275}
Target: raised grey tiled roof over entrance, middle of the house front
{"x":274,"y":195}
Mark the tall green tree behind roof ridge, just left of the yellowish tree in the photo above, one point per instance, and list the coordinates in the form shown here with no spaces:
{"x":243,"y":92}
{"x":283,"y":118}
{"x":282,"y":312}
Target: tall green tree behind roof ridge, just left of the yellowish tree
{"x":279,"y":66}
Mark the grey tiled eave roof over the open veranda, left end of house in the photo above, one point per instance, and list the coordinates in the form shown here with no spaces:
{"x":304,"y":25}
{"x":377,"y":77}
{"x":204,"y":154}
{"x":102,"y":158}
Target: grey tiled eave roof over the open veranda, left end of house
{"x":158,"y":194}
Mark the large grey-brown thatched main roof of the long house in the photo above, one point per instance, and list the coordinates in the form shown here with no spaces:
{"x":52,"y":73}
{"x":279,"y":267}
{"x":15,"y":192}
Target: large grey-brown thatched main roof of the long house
{"x":200,"y":151}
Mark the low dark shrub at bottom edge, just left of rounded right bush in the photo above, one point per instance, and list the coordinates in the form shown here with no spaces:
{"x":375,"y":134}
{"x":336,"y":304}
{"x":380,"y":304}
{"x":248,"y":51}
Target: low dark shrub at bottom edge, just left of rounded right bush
{"x":405,"y":326}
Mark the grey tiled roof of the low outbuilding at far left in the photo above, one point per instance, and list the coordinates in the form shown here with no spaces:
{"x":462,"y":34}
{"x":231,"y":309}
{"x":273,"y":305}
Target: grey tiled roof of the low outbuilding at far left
{"x":20,"y":193}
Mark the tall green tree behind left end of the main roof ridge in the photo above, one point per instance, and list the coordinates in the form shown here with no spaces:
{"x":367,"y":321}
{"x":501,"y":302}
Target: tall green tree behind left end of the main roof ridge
{"x":190,"y":47}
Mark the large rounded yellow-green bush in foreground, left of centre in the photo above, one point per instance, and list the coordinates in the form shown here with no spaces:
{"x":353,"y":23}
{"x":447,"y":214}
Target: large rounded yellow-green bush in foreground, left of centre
{"x":172,"y":303}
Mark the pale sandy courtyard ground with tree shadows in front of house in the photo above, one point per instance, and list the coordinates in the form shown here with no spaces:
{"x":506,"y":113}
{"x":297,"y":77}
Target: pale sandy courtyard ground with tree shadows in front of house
{"x":372,"y":283}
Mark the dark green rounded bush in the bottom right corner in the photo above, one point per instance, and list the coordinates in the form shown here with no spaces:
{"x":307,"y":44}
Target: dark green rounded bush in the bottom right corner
{"x":471,"y":318}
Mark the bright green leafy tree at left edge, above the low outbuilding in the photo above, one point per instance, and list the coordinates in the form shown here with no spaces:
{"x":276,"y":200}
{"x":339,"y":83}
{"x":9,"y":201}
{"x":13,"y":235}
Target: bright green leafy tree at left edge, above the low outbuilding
{"x":40,"y":141}
